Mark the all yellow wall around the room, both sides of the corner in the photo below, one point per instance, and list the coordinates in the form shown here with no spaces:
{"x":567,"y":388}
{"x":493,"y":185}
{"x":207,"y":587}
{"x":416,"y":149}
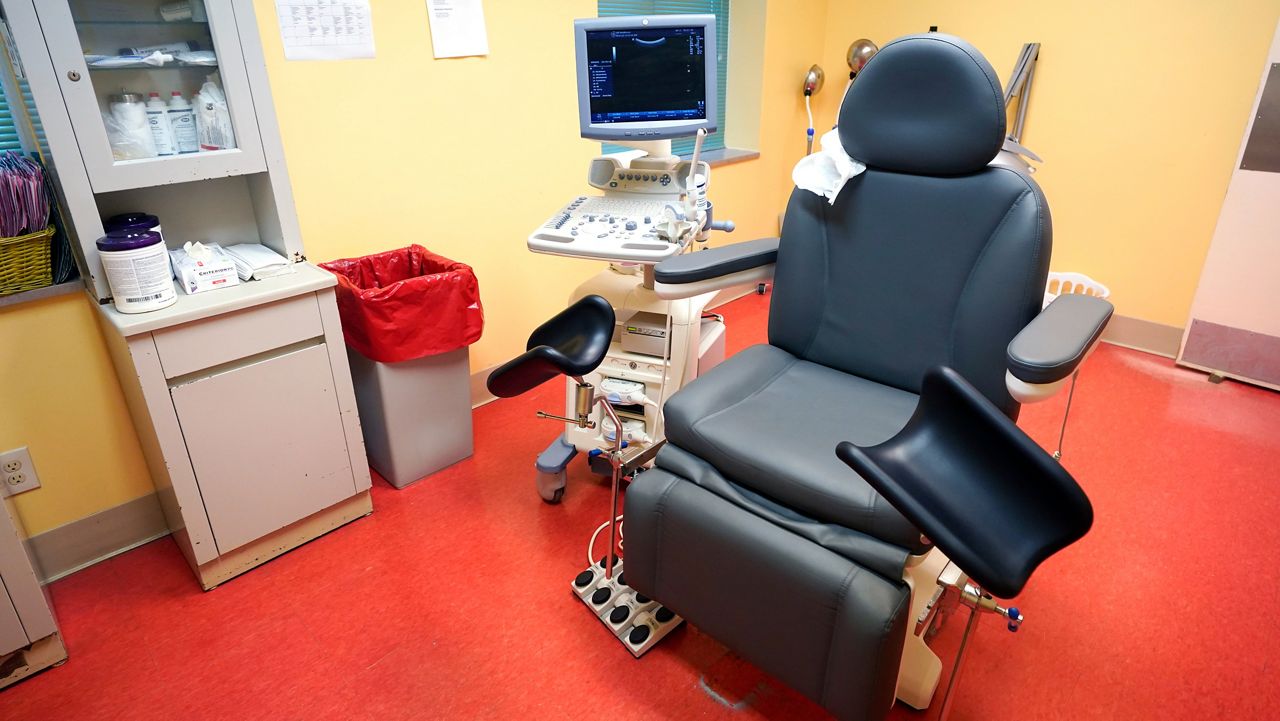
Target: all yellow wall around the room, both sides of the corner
{"x":1139,"y":109}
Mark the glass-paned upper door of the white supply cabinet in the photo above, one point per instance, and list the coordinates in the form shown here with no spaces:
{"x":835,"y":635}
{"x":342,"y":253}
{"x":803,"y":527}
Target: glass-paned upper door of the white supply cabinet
{"x":89,"y":42}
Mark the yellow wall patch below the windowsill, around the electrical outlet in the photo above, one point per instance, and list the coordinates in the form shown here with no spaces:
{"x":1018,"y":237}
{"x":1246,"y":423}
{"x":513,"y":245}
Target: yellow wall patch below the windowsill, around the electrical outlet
{"x":62,"y":401}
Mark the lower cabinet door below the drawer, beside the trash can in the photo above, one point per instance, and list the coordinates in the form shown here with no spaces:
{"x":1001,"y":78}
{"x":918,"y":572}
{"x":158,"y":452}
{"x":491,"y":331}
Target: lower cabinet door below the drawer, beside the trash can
{"x":267,"y":444}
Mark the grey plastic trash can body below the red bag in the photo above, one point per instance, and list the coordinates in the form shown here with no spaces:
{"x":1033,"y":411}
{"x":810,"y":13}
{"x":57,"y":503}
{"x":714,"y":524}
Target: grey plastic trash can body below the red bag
{"x":417,"y":414}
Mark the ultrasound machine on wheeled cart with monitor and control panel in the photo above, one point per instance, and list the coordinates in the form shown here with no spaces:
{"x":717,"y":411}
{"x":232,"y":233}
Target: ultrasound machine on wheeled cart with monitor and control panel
{"x":641,"y":83}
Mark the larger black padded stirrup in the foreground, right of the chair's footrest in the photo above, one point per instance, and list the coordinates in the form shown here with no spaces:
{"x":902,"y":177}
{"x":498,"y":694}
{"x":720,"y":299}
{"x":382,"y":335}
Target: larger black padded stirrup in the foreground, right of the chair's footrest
{"x":982,"y":491}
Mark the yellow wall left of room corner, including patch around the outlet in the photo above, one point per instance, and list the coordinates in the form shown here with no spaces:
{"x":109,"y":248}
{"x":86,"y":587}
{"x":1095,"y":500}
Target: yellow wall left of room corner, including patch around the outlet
{"x":465,"y":157}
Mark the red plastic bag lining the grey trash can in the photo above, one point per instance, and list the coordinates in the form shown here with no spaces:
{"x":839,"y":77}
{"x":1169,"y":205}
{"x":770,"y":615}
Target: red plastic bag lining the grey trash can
{"x":408,"y":304}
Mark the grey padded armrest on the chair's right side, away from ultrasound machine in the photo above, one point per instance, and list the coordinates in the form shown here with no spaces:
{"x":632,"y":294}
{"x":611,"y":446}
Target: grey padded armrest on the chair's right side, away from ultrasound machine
{"x":1055,"y":343}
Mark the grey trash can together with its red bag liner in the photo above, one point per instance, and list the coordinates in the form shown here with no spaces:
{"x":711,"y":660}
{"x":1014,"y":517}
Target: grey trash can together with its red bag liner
{"x":409,"y":317}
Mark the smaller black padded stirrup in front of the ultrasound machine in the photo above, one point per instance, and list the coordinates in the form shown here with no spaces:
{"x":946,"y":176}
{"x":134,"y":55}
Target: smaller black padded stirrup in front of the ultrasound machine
{"x":573,"y":344}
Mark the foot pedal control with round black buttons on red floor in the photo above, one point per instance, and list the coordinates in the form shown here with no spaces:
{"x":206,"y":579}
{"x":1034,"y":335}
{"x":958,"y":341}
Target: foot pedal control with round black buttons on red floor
{"x":636,"y":620}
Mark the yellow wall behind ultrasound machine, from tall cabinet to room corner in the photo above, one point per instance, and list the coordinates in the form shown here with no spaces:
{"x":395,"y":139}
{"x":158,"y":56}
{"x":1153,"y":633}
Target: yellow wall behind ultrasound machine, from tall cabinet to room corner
{"x":467,"y":157}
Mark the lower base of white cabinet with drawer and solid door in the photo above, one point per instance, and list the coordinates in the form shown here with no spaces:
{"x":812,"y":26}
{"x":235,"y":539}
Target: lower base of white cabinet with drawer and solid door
{"x":248,"y":417}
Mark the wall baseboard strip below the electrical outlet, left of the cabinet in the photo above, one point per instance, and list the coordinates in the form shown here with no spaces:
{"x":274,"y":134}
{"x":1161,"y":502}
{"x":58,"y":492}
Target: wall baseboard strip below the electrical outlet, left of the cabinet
{"x":79,"y":545}
